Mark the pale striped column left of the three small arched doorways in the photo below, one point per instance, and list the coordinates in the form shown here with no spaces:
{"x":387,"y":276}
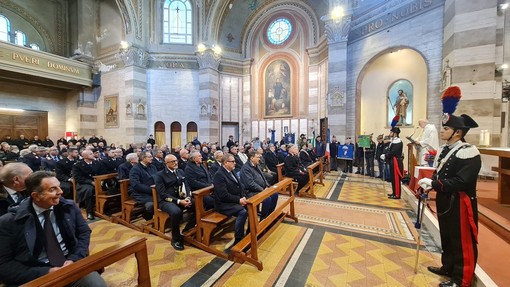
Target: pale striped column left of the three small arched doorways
{"x":133,"y":93}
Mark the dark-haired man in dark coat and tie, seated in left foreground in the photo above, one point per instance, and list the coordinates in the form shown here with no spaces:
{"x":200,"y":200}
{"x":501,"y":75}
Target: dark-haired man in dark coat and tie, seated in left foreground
{"x":45,"y":234}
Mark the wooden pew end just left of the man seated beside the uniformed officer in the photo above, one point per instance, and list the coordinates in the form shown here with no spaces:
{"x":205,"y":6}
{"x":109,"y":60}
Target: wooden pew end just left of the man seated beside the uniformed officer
{"x":128,"y":207}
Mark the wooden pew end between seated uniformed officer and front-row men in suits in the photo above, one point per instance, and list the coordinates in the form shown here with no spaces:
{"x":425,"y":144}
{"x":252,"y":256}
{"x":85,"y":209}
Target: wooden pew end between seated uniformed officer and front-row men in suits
{"x":209,"y":222}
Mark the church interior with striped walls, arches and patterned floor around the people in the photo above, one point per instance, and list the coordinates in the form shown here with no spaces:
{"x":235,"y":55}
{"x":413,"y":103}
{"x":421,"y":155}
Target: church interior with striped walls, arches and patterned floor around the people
{"x":268,"y":71}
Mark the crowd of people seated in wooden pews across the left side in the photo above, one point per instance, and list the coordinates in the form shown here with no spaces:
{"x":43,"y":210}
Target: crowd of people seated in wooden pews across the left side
{"x":188,"y":196}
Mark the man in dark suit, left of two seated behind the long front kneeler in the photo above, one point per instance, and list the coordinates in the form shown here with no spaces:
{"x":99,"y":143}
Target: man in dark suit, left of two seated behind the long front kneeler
{"x":230,"y":196}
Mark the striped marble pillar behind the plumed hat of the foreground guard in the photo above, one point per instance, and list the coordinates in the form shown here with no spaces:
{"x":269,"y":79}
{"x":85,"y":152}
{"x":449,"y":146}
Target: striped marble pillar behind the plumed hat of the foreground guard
{"x":470,"y":45}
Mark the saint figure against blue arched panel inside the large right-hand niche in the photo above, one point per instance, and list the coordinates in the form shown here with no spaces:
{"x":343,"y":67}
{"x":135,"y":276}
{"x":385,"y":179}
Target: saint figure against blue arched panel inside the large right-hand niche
{"x":400,"y":101}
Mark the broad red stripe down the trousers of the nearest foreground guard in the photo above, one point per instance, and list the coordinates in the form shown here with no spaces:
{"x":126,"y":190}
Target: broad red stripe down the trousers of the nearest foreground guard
{"x":467,"y":230}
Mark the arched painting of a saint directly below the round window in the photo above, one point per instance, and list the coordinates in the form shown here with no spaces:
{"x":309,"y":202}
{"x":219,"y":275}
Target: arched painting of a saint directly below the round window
{"x":277,"y":90}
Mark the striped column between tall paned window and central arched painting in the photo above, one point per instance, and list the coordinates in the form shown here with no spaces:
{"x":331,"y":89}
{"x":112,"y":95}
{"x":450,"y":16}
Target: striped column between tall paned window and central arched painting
{"x":208,"y":95}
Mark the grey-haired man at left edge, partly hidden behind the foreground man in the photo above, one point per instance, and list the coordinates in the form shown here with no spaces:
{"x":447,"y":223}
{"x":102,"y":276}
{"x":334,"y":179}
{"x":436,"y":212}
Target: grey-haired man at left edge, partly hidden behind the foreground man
{"x":12,"y":190}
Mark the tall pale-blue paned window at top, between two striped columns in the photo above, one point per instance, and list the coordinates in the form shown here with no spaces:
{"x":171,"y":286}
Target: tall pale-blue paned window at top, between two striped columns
{"x":177,"y":22}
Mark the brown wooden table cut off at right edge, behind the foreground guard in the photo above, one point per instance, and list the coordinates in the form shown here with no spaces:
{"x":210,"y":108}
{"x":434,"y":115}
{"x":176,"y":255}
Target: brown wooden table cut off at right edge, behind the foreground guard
{"x":503,"y":170}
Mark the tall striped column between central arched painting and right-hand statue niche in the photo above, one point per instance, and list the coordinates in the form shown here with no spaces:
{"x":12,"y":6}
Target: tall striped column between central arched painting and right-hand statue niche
{"x":337,"y":32}
